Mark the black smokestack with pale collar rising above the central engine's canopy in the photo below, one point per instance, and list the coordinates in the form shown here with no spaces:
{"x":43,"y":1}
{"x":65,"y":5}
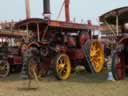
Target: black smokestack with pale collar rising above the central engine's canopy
{"x":46,"y":12}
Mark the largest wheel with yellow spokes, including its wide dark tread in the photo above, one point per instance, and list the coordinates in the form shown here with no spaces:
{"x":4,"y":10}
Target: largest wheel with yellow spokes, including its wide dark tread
{"x":94,"y":55}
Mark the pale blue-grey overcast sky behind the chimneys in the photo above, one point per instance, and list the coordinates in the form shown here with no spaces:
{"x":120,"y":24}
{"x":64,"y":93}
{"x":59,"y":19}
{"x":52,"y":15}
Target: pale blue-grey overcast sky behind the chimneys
{"x":79,"y":9}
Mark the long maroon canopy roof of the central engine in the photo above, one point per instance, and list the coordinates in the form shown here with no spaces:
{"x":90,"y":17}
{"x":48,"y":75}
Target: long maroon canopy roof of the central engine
{"x":57,"y":24}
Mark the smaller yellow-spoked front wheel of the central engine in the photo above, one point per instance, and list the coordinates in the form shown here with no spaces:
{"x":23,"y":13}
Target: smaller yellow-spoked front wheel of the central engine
{"x":63,"y":66}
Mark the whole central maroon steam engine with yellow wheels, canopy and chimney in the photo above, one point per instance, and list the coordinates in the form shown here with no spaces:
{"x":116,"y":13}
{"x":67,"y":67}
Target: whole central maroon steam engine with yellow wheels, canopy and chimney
{"x":59,"y":46}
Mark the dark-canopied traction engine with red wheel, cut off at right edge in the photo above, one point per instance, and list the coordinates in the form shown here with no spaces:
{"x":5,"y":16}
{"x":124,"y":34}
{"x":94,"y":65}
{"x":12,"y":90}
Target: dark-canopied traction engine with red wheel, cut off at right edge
{"x":119,"y":19}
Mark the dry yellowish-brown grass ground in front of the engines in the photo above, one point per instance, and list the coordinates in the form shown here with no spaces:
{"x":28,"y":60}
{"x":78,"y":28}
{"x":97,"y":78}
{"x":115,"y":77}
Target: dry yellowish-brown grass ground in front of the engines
{"x":79,"y":84}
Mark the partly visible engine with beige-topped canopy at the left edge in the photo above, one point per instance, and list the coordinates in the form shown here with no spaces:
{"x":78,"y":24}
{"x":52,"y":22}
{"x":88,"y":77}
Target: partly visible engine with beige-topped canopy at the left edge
{"x":10,"y":45}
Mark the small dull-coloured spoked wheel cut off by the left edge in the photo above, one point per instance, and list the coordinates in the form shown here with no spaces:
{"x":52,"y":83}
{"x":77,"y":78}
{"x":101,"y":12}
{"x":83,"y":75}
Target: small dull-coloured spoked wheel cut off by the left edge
{"x":4,"y":69}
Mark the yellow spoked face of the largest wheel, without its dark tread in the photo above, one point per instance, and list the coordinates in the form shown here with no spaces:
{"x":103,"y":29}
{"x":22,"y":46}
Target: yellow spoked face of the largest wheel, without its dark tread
{"x":96,"y":56}
